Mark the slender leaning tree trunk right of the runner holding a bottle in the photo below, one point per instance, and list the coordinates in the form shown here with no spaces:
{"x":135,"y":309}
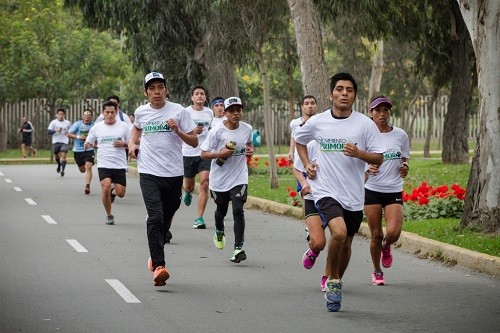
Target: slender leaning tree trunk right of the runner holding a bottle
{"x":273,"y":173}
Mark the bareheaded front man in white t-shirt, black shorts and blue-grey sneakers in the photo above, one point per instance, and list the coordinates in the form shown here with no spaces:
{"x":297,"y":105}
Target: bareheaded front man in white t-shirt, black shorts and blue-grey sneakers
{"x":347,"y":140}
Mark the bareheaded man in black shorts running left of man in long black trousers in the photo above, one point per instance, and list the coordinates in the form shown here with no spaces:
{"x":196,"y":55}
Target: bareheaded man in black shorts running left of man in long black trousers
{"x":111,"y":137}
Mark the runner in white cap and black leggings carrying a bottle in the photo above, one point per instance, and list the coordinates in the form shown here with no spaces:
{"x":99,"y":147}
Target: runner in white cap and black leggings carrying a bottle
{"x":228,"y":145}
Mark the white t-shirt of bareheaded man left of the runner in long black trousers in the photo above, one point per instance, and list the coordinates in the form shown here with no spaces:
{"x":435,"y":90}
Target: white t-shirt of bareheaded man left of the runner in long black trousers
{"x":109,"y":156}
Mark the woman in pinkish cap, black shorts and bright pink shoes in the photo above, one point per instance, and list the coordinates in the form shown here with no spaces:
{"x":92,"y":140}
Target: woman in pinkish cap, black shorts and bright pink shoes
{"x":384,"y":188}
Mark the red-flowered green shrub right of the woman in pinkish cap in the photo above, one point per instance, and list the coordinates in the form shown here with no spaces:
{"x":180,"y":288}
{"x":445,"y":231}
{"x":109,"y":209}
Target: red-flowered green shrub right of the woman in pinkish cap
{"x":428,"y":202}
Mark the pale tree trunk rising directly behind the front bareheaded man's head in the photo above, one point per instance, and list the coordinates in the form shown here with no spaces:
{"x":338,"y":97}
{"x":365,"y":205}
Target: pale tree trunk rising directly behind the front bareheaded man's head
{"x":310,"y":51}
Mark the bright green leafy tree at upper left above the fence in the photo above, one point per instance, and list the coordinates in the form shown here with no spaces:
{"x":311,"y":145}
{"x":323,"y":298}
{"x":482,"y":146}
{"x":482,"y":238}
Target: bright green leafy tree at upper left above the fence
{"x":46,"y":54}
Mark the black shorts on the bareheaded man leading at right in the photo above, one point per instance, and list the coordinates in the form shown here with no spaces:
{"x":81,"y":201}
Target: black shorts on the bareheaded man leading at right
{"x":330,"y":208}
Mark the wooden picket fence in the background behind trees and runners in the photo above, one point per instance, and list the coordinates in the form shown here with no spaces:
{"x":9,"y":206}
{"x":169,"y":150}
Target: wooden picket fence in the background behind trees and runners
{"x":35,"y":111}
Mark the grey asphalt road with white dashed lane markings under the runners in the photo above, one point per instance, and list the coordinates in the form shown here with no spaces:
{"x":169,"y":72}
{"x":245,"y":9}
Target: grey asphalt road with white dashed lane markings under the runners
{"x":62,"y":269}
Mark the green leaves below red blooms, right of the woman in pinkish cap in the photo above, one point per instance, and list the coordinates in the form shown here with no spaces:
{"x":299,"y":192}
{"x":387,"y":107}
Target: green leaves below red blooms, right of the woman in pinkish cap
{"x":450,"y":207}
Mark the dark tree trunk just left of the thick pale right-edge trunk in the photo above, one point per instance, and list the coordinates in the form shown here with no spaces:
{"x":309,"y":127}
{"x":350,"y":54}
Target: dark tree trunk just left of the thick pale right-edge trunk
{"x":456,"y":121}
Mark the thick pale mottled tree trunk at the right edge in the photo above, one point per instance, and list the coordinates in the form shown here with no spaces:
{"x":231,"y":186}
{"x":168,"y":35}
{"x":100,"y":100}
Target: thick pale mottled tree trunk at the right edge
{"x":482,"y":202}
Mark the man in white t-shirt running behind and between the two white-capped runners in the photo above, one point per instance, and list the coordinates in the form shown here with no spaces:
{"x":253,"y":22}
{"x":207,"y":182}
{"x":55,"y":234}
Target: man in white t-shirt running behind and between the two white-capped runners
{"x":193,"y":164}
